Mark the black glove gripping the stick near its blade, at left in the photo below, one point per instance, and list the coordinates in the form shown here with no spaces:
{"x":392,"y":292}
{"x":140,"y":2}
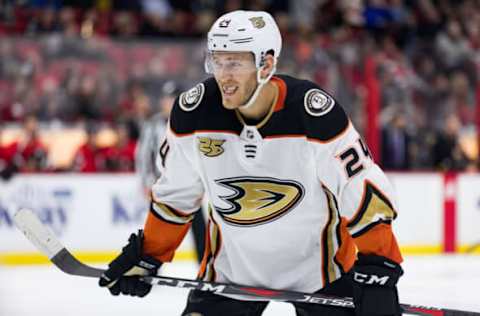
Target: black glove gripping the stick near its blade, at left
{"x":124,"y":272}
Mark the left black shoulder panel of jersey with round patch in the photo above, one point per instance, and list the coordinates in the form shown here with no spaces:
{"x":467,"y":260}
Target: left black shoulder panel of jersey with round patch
{"x":200,"y":108}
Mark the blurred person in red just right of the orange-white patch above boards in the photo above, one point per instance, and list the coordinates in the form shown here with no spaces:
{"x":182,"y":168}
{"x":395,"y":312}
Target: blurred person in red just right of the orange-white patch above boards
{"x":88,"y":158}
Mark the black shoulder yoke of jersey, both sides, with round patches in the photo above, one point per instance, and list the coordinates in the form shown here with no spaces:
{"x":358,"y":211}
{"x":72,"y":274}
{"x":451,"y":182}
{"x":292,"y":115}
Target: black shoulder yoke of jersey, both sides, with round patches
{"x":307,"y":110}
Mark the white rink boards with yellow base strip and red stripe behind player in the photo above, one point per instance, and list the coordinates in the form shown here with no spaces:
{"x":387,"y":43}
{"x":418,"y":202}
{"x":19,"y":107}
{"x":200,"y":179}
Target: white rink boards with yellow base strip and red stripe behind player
{"x":94,"y":214}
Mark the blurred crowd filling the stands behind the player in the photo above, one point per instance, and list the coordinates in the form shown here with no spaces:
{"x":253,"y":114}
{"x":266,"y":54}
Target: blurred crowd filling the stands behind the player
{"x":92,"y":64}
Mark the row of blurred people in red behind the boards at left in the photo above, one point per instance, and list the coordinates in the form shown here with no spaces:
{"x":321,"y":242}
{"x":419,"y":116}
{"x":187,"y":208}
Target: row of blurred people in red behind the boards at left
{"x":30,"y":153}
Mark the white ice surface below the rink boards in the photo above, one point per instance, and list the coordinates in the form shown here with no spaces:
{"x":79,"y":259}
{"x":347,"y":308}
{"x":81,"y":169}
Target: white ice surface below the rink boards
{"x":444,"y":281}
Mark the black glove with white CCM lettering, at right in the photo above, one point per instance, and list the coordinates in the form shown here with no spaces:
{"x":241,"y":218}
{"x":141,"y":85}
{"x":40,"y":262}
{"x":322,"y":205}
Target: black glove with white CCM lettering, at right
{"x":374,"y":281}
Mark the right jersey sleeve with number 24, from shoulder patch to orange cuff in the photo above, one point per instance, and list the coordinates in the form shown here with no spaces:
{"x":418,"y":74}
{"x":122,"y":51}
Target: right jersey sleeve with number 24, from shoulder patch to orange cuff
{"x":364,"y":195}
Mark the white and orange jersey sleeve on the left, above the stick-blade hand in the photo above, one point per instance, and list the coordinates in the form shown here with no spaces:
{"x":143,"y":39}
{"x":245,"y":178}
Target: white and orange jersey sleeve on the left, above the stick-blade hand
{"x":176,"y":196}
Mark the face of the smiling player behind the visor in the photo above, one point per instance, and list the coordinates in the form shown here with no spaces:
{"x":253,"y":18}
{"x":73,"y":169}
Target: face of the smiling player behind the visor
{"x":236,"y":76}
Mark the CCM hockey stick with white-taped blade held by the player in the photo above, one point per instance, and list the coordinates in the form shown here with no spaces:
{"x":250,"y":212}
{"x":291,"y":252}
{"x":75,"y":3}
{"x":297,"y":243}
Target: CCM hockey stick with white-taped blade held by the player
{"x":45,"y":240}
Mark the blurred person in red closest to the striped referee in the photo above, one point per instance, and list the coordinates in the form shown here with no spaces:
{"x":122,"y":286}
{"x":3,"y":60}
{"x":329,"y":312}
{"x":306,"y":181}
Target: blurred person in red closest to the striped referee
{"x":121,"y":156}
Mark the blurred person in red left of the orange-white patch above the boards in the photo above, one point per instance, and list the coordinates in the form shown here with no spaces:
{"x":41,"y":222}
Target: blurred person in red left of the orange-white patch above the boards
{"x":32,"y":152}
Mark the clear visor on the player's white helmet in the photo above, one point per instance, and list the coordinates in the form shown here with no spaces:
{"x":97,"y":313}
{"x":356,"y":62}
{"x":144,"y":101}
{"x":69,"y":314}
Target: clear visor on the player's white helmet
{"x":237,"y":63}
